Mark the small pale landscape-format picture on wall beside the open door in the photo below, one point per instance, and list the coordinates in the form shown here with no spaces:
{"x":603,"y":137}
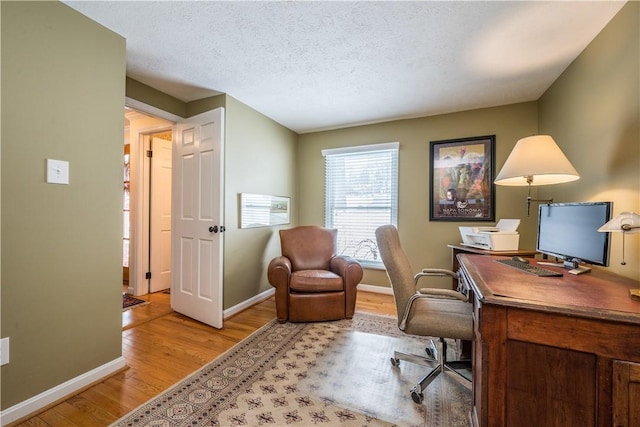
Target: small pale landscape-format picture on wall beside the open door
{"x":263,"y":210}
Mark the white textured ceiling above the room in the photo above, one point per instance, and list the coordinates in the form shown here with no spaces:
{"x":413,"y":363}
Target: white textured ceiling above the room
{"x":318,"y":65}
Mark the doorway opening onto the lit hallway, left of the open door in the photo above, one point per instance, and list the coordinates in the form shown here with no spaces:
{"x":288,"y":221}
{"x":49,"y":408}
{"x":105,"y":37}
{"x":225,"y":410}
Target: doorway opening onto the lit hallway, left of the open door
{"x":146,"y":203}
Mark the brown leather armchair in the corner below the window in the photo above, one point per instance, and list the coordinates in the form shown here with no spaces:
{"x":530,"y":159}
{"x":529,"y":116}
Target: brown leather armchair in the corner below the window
{"x":313,"y":283}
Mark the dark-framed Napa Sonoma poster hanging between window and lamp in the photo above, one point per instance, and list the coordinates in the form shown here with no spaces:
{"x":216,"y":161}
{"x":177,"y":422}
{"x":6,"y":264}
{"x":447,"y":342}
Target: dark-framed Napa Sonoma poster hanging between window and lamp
{"x":461,"y":173}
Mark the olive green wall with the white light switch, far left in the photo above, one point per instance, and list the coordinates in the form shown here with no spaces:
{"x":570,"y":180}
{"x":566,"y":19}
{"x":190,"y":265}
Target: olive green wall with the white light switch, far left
{"x":63,"y":85}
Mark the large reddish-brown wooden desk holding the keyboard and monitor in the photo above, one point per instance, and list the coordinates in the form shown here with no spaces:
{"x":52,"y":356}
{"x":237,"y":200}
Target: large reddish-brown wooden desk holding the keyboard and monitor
{"x":552,"y":351}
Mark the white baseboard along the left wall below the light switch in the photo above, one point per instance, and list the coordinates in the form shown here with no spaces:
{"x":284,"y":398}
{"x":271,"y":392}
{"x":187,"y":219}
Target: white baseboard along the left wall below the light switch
{"x":60,"y":392}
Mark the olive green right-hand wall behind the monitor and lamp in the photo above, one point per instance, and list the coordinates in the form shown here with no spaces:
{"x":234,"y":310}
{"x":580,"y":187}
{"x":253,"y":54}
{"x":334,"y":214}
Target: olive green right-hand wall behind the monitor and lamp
{"x":593,"y":112}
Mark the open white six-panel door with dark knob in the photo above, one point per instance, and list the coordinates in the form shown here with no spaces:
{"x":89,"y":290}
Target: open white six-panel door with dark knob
{"x":196,"y":285}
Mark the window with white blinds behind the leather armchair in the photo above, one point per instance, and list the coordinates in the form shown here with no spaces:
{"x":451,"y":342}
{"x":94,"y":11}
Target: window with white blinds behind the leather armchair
{"x":361,"y":194}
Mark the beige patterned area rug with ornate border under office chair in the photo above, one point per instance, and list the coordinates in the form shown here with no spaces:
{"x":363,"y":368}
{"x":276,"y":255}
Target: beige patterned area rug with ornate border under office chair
{"x":314,"y":374}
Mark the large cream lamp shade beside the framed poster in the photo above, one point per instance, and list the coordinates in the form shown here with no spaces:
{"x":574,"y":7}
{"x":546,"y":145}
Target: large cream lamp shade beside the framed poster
{"x":536,"y":160}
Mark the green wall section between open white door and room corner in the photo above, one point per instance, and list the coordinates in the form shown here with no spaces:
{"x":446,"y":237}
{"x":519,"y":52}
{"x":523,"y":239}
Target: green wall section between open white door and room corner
{"x":260,"y":157}
